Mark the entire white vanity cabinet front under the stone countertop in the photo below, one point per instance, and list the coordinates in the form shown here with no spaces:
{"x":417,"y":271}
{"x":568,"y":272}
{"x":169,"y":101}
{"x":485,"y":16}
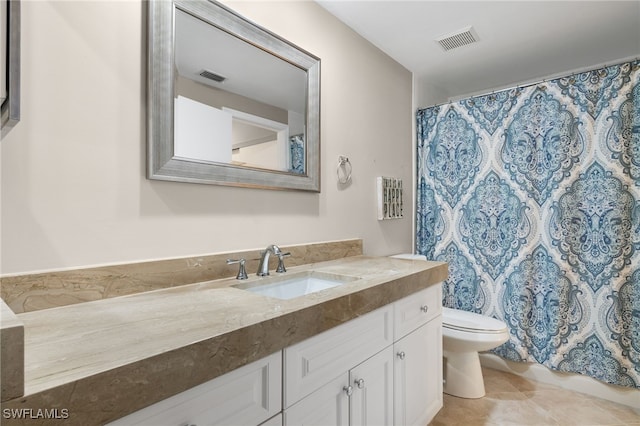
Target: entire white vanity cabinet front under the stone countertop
{"x":383,"y":368}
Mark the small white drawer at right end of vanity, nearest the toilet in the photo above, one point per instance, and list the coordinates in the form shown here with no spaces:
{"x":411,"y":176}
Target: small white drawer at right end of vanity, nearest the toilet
{"x":416,"y":310}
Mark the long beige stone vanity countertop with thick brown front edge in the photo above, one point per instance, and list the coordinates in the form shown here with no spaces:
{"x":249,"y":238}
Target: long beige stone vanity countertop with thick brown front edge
{"x":97,"y":361}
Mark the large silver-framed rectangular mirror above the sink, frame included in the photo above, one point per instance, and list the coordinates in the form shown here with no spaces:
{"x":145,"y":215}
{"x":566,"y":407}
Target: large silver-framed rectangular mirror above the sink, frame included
{"x":229,"y":102}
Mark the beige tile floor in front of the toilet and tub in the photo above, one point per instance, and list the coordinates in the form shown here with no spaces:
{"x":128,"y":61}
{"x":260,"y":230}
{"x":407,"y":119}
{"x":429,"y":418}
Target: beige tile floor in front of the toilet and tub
{"x":514,"y":400}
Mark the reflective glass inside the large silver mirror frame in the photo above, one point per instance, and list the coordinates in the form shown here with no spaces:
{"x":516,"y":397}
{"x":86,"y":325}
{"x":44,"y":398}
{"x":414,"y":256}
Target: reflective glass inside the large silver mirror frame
{"x":229,"y":110}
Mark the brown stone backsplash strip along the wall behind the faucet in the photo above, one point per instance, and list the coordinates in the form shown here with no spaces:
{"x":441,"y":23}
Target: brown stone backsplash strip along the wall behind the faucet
{"x":32,"y":292}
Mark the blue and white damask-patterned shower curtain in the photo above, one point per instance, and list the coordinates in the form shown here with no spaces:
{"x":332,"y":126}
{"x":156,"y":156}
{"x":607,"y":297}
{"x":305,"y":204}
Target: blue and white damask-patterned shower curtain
{"x":532,"y":195}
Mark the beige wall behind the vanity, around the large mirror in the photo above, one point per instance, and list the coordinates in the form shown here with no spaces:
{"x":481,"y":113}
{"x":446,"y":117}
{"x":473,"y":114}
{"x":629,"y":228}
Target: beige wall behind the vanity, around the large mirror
{"x":74,"y":192}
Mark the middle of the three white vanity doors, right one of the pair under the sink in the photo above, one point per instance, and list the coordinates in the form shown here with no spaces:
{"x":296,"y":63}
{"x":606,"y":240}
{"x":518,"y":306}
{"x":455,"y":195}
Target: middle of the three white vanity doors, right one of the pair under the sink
{"x":372,"y":397}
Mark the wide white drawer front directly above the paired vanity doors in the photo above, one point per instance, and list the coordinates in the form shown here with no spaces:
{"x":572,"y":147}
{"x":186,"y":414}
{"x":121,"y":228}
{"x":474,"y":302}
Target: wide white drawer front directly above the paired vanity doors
{"x":319,"y":359}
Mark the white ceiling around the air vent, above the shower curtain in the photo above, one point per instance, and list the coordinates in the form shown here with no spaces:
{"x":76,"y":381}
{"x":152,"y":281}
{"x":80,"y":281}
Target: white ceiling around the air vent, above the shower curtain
{"x":519,"y":41}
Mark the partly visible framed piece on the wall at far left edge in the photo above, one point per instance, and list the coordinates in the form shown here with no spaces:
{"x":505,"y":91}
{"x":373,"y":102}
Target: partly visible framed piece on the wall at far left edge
{"x":9,"y":64}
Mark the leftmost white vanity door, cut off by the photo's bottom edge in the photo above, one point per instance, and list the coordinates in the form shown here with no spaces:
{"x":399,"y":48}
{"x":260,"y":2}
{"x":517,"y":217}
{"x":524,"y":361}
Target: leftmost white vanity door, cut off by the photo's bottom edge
{"x":327,"y":406}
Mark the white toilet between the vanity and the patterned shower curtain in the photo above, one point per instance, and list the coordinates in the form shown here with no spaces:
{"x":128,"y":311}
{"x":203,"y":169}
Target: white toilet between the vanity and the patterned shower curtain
{"x":464,"y":334}
